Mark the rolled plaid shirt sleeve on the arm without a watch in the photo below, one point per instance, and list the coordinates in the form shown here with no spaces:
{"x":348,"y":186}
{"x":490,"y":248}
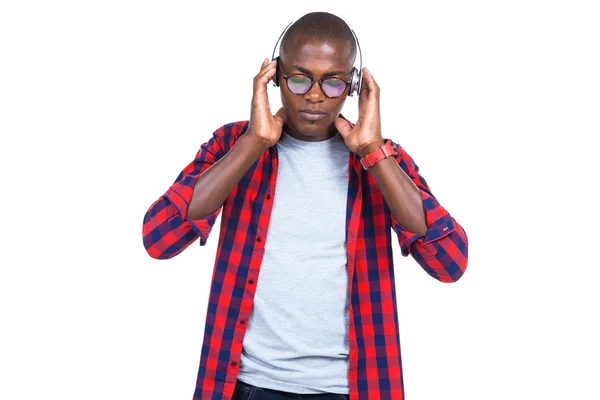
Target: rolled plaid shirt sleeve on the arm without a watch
{"x":167,"y":230}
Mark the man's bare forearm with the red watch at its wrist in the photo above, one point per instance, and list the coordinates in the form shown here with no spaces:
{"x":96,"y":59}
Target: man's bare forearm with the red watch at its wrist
{"x":399,"y":191}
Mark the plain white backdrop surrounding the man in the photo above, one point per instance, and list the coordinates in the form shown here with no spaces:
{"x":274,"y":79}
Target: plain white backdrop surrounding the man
{"x":103,"y":103}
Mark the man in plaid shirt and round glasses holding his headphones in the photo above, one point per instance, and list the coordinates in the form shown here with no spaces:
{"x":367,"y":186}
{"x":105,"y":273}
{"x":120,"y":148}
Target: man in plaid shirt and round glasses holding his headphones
{"x":302,"y":301}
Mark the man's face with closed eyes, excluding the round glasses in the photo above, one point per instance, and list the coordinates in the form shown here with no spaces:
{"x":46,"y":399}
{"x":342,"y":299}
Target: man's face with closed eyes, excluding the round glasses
{"x":316,"y":59}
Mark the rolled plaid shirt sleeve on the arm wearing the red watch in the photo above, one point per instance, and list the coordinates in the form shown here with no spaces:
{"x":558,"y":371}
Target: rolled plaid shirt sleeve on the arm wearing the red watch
{"x":443,"y":251}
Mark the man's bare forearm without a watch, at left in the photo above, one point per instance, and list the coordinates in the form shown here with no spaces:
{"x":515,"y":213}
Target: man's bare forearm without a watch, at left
{"x":216,"y":183}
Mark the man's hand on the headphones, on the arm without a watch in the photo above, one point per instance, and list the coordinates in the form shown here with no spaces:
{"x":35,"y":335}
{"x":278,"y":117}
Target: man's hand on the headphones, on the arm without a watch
{"x":263,"y":125}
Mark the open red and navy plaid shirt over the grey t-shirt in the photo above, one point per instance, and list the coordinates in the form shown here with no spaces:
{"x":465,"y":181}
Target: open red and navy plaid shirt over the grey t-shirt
{"x":375,"y":367}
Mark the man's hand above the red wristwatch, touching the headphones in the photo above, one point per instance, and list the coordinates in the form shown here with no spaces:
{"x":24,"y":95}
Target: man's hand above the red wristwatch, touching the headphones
{"x":366,"y":134}
